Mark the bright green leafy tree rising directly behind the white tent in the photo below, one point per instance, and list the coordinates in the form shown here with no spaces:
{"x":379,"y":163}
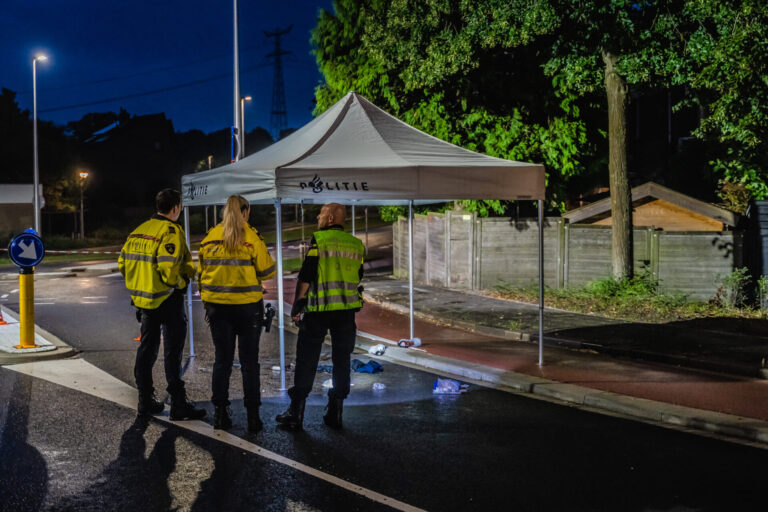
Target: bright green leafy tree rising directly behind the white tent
{"x":466,"y":72}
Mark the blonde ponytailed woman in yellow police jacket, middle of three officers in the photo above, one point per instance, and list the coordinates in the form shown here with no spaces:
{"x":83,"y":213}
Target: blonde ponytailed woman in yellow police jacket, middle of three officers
{"x":233,"y":263}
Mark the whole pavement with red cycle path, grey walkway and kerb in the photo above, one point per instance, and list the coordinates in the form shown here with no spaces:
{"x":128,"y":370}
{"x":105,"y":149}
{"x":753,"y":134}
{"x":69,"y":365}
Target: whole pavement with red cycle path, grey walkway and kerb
{"x":589,"y":376}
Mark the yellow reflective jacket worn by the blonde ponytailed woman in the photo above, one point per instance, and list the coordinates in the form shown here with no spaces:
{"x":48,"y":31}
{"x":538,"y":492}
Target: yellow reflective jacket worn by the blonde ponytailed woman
{"x":233,"y":277}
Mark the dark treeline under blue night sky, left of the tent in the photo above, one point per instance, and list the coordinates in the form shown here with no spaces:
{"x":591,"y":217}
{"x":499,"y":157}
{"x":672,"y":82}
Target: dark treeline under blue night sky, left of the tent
{"x":128,"y":158}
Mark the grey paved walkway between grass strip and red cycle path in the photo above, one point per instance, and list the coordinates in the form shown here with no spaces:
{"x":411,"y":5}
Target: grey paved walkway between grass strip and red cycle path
{"x":711,"y":344}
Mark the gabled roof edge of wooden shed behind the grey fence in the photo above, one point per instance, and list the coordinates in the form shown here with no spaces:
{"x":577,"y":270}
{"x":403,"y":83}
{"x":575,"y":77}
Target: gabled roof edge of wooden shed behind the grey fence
{"x":650,"y":191}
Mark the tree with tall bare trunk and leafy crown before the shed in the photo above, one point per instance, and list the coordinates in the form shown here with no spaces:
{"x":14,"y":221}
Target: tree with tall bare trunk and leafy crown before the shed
{"x":609,"y":48}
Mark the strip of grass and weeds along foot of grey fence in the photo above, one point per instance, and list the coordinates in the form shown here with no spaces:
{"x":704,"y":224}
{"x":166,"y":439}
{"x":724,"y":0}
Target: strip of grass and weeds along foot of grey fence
{"x":636,"y":299}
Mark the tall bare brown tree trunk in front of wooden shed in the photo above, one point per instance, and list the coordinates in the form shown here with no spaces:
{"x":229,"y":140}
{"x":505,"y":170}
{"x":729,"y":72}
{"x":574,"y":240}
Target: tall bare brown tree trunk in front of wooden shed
{"x":621,"y":198}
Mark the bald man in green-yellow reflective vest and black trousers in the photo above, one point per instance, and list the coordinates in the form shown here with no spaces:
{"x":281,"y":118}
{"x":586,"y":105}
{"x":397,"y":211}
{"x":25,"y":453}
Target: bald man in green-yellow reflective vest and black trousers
{"x":328,"y":296}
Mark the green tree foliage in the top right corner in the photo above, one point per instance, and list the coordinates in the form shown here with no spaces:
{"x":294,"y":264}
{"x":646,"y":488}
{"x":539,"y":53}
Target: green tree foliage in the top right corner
{"x":728,"y":55}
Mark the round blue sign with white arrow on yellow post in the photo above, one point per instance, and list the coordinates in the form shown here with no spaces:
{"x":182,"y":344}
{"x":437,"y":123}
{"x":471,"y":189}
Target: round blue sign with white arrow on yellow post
{"x":26,"y":251}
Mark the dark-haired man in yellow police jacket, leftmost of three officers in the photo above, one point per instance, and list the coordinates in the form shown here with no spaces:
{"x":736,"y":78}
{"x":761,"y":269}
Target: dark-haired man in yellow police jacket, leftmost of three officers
{"x":157,"y":267}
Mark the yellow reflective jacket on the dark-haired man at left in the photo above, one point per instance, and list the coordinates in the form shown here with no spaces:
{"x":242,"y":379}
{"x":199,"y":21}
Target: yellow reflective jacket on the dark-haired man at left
{"x":155,"y":260}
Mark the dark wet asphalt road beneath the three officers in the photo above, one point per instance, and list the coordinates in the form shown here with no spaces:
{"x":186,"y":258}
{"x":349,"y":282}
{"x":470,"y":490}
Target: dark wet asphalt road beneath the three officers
{"x":62,"y":449}
